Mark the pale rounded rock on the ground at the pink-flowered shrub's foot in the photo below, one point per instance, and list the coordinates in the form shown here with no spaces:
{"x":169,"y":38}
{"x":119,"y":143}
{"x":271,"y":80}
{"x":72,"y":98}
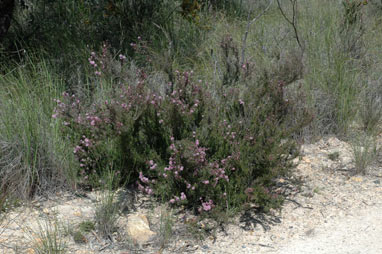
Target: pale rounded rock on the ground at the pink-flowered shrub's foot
{"x":138,"y":229}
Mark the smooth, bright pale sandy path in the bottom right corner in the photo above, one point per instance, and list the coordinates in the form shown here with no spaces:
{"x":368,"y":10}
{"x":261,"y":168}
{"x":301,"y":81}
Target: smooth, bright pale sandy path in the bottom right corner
{"x":361,"y":233}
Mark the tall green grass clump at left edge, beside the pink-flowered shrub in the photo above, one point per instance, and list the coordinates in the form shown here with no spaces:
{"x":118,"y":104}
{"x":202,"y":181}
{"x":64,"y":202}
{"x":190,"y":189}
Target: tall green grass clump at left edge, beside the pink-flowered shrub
{"x":32,"y":154}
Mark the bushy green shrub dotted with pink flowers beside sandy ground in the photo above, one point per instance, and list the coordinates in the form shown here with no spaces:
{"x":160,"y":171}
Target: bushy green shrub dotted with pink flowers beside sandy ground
{"x":207,"y":153}
